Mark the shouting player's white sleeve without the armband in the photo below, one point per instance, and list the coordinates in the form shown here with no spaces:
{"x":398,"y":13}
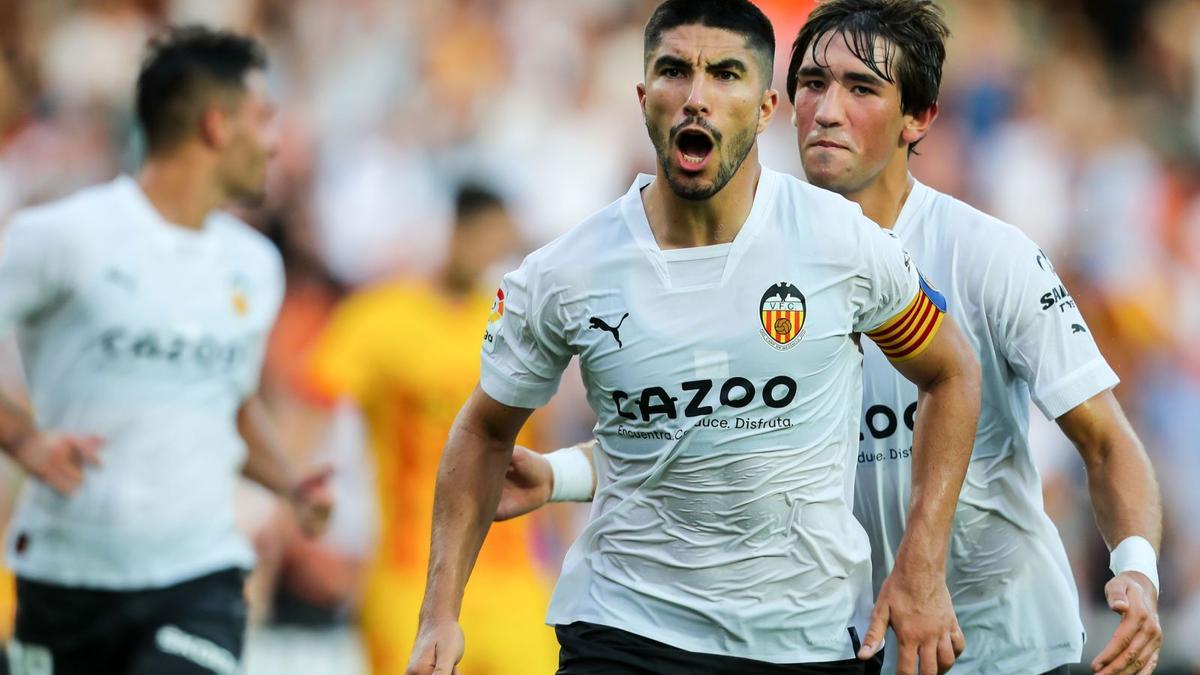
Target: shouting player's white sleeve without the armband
{"x":525,"y":351}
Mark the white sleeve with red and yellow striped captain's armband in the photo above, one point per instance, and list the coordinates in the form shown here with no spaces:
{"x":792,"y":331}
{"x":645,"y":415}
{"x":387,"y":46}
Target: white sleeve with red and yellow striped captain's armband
{"x":903,"y":312}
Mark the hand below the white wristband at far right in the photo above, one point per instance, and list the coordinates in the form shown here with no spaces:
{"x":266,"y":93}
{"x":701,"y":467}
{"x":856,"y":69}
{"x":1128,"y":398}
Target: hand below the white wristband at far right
{"x":1135,"y":647}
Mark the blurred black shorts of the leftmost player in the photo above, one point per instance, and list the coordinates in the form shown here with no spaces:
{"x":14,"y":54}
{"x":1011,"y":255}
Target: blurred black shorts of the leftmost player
{"x":196,"y":628}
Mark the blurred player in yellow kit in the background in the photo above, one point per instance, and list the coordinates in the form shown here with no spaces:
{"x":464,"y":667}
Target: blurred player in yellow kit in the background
{"x":407,"y":354}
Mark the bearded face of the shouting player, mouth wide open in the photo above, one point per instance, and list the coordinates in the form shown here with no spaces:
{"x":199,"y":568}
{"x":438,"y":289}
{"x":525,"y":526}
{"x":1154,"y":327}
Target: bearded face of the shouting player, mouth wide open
{"x":705,"y":105}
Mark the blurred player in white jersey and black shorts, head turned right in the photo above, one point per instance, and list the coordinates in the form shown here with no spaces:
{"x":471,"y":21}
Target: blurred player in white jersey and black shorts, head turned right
{"x":142,"y":315}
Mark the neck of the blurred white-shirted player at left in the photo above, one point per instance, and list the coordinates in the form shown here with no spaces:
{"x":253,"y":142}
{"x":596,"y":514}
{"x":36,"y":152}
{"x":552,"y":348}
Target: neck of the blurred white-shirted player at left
{"x":182,"y":190}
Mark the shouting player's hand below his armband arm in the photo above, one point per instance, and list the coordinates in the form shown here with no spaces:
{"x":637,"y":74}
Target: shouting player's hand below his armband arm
{"x":920,"y":611}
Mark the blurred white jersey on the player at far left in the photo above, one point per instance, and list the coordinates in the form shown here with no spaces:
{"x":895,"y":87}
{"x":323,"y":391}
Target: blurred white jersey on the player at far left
{"x":149,"y":336}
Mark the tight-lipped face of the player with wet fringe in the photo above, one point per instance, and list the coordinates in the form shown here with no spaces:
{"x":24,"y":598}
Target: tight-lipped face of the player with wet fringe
{"x":849,"y":121}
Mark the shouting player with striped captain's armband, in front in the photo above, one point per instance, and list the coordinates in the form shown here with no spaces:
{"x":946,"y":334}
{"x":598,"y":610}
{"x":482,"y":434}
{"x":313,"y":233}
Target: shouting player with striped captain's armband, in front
{"x":717,"y":312}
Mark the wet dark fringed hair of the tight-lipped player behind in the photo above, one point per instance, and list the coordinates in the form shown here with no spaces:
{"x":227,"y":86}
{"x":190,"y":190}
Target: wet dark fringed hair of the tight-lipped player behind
{"x":915,"y":34}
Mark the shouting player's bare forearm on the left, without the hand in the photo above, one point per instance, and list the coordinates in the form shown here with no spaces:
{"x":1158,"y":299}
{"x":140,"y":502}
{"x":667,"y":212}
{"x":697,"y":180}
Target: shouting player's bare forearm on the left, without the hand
{"x":469,"y":491}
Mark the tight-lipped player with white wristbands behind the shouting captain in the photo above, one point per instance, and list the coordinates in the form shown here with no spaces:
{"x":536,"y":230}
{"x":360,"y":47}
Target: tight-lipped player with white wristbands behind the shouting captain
{"x":865,"y":79}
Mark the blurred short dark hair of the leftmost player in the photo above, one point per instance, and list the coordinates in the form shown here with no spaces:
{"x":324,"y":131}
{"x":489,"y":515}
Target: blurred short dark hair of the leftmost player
{"x":182,"y":71}
